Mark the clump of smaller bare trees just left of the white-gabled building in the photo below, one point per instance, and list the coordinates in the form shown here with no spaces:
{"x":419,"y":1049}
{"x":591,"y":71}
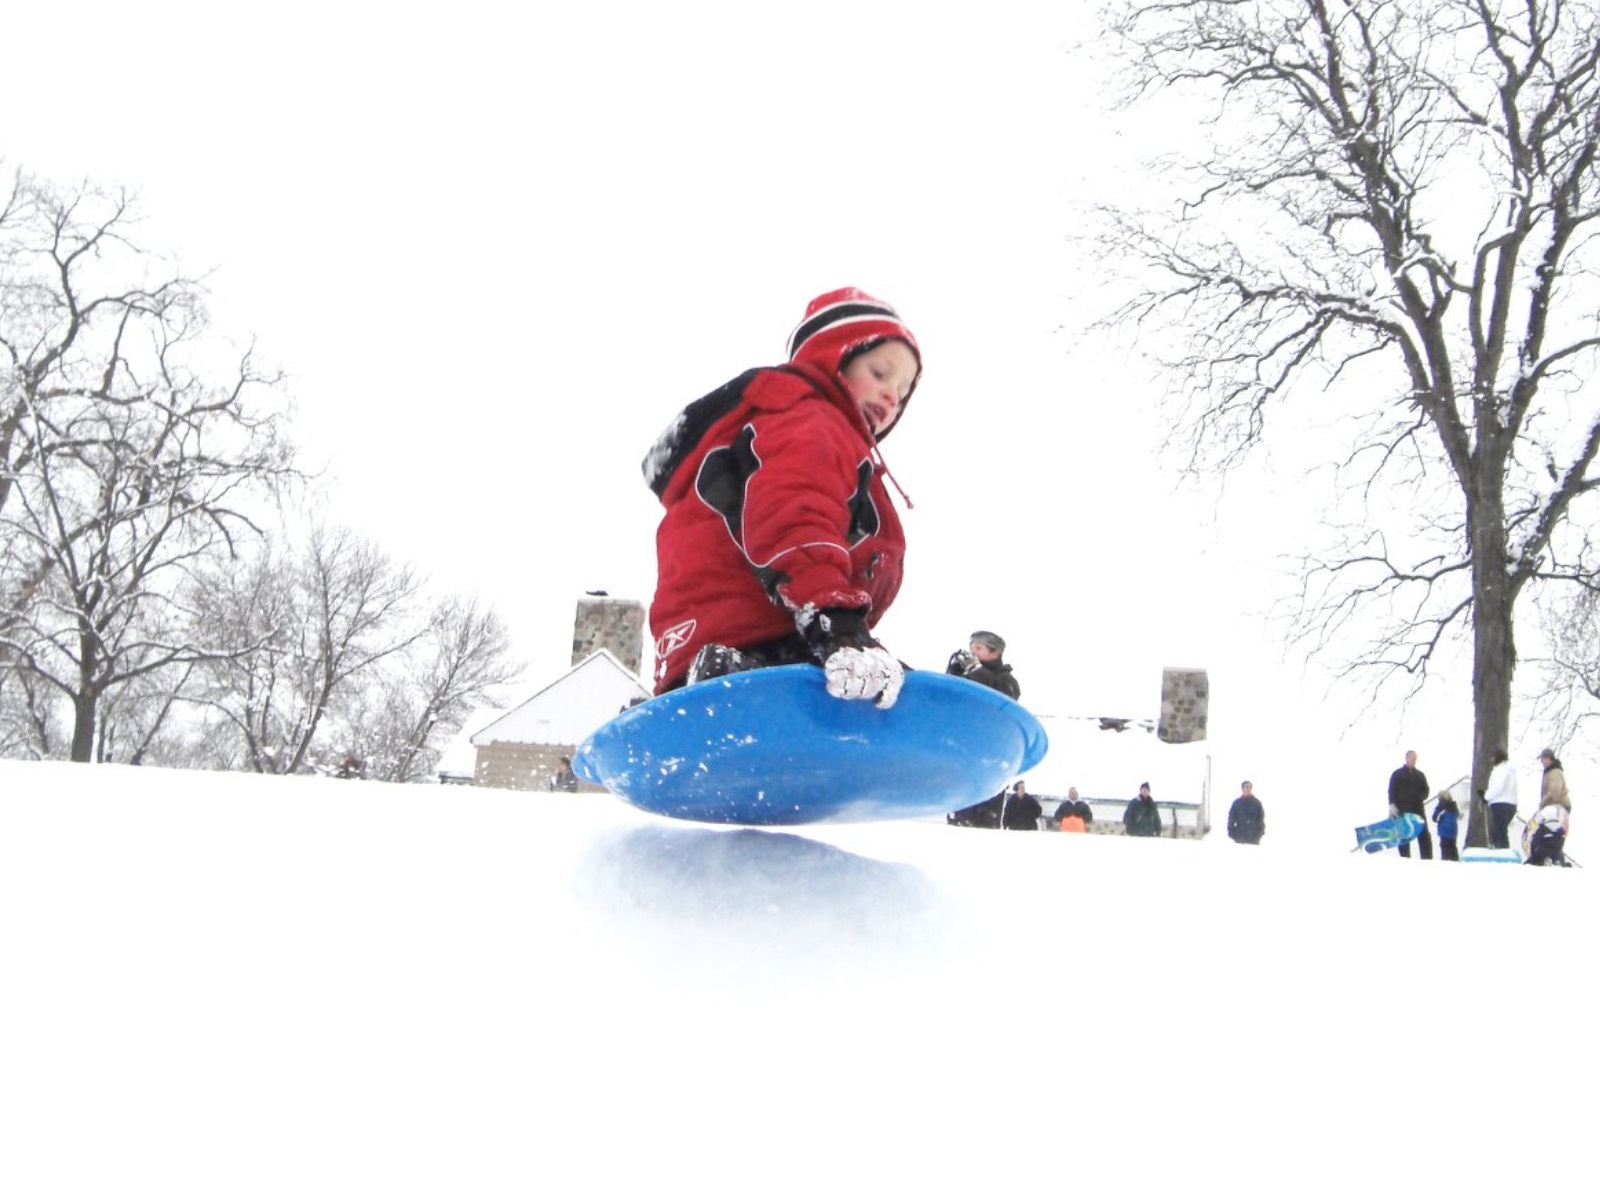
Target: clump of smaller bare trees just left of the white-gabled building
{"x":335,"y":658}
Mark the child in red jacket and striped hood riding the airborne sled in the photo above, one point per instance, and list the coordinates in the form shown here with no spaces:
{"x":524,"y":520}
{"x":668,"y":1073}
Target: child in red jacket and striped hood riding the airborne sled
{"x":780,"y":542}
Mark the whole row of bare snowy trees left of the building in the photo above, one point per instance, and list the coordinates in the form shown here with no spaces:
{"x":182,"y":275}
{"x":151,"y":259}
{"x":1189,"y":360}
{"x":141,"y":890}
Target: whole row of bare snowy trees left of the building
{"x":162,"y":599}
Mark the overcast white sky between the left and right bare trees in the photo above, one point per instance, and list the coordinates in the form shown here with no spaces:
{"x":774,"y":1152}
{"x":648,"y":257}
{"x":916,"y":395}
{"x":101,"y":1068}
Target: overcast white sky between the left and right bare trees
{"x":497,"y":252}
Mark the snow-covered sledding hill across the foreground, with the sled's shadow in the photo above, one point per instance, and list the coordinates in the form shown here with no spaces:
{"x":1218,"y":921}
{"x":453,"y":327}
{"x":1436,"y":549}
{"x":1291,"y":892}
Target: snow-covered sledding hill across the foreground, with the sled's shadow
{"x":234,"y":986}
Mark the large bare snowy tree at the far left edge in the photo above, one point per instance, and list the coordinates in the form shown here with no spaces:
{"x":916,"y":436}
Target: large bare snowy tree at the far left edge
{"x":130,"y":450}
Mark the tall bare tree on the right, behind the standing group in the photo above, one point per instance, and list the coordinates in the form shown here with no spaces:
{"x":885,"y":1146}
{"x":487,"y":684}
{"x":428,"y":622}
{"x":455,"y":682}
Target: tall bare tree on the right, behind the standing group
{"x":1394,"y":210}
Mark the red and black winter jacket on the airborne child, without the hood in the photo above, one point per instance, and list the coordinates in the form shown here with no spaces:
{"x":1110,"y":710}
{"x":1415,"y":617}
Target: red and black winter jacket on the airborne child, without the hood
{"x":775,"y":502}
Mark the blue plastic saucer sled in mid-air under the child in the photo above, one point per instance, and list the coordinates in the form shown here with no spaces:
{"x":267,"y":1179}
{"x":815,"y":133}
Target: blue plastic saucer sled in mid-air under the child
{"x":772,"y":748}
